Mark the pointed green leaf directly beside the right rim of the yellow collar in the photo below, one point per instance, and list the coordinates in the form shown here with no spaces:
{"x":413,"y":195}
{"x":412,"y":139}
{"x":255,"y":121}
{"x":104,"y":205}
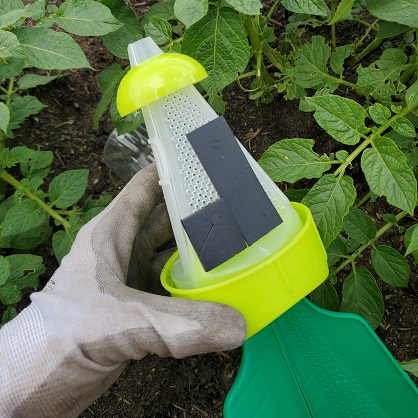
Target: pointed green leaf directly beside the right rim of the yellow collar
{"x":329,"y":201}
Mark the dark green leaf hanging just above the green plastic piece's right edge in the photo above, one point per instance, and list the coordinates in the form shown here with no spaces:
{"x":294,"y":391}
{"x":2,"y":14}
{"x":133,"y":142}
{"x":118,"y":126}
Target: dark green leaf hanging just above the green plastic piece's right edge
{"x":361,"y":295}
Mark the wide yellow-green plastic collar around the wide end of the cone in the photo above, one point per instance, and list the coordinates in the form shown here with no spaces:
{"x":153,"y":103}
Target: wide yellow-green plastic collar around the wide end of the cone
{"x":272,"y":287}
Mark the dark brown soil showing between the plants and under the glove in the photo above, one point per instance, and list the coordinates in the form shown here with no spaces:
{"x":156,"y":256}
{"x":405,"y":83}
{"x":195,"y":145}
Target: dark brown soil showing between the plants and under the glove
{"x":195,"y":386}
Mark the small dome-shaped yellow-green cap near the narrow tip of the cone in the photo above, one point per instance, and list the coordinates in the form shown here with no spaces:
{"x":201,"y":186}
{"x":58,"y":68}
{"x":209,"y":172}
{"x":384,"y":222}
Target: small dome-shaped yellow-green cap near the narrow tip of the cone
{"x":157,"y":77}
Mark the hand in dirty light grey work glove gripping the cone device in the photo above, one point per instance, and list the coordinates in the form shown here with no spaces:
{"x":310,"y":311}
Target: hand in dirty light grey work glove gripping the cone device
{"x":76,"y":337}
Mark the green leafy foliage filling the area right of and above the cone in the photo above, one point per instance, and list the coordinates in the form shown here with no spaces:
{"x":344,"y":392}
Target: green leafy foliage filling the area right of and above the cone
{"x":371,"y":116}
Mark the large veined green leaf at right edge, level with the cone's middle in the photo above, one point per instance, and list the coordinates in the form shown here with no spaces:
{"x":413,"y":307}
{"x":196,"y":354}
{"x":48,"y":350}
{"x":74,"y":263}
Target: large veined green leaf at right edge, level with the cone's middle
{"x":388,"y":174}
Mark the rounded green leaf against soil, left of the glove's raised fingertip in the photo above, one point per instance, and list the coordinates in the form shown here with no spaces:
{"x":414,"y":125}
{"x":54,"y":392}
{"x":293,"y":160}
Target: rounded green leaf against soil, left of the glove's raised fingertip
{"x":68,"y":188}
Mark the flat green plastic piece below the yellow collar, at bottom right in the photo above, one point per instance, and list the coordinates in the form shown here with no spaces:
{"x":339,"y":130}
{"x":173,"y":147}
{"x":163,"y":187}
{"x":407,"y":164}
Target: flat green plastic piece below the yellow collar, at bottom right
{"x":311,"y":362}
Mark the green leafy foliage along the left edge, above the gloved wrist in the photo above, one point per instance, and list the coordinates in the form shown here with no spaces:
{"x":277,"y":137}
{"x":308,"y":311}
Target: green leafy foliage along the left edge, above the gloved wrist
{"x":31,"y":215}
